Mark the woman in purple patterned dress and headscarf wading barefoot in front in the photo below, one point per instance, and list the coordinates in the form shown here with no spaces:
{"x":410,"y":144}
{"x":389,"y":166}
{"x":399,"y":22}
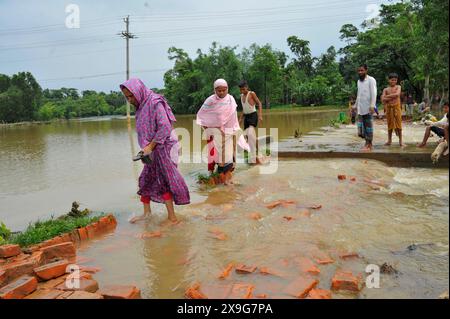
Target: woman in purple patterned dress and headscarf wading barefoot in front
{"x":160,"y":180}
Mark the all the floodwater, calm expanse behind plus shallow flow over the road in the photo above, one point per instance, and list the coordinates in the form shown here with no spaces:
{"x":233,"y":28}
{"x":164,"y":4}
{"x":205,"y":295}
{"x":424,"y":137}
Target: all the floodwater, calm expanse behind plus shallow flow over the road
{"x":378,"y":215}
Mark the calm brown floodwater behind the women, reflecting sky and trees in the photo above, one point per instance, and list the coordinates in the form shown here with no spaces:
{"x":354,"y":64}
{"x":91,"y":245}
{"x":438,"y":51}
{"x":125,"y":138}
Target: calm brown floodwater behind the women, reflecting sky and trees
{"x":44,"y":168}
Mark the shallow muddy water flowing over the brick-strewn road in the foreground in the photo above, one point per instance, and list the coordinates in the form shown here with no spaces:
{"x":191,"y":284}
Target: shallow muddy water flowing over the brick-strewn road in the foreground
{"x":377,"y":216}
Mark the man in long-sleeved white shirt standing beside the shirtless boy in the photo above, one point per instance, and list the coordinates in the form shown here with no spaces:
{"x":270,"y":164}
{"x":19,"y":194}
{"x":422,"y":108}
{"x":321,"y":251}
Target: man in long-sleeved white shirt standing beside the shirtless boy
{"x":365,"y":104}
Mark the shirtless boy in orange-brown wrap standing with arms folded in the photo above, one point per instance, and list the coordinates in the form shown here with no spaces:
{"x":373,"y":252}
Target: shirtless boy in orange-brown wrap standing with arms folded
{"x":391,"y":98}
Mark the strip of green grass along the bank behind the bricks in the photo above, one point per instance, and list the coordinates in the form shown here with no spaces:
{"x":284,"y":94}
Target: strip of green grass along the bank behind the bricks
{"x":43,"y":230}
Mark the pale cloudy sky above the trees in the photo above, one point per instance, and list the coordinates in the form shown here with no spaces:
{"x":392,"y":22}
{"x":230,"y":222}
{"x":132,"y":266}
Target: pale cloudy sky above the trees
{"x":33,"y":35}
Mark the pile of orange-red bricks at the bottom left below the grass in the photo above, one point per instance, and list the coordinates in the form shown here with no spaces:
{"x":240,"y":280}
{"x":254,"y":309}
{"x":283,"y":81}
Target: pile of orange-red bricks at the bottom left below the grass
{"x":48,"y":270}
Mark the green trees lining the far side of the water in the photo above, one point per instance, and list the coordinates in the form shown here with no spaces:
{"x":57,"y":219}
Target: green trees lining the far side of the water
{"x":409,"y":38}
